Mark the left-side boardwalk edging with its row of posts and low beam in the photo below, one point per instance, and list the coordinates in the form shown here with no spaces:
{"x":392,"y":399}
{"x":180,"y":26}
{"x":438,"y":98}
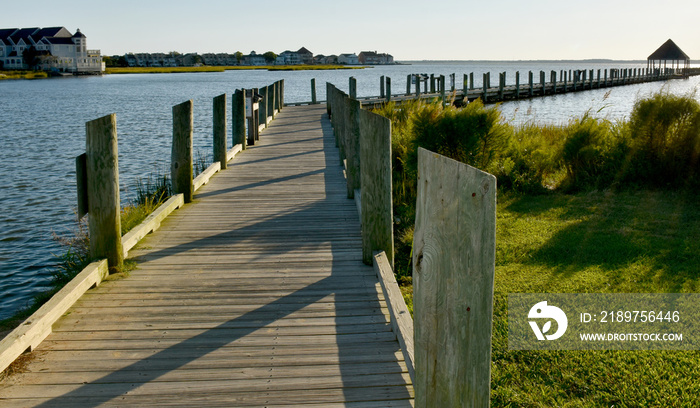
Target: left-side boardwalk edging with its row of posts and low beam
{"x":98,"y":195}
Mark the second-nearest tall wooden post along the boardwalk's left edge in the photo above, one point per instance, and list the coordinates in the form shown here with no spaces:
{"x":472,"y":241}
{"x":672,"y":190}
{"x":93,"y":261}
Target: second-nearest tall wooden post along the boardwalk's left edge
{"x":181,"y":157}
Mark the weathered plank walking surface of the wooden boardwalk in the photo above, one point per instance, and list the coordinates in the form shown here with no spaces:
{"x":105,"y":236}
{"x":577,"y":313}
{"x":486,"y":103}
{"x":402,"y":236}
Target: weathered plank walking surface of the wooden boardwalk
{"x":255,"y":295}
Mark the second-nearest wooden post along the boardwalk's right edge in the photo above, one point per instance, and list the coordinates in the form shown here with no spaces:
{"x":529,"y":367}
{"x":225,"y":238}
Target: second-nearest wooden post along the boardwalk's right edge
{"x":375,"y":175}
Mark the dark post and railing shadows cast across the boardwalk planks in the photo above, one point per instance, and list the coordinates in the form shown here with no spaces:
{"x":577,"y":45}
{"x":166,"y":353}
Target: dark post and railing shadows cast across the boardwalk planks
{"x":356,"y":385}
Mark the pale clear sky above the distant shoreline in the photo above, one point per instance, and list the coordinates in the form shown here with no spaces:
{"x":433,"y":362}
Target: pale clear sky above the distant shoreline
{"x":407,"y":29}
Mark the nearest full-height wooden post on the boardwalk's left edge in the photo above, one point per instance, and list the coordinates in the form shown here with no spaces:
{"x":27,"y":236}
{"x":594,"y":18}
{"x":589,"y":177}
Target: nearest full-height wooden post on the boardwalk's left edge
{"x":104,"y":208}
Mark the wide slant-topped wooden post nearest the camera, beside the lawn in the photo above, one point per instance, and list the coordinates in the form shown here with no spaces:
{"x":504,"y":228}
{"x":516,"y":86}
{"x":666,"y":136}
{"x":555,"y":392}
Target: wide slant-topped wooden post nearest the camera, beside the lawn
{"x":453,"y":277}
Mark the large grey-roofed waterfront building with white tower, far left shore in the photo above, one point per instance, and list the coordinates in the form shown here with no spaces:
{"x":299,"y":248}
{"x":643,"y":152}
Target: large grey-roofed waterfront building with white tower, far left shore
{"x":54,"y":48}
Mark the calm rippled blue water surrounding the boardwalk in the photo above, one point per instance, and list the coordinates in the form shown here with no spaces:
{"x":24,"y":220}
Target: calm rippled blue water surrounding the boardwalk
{"x":42,"y":130}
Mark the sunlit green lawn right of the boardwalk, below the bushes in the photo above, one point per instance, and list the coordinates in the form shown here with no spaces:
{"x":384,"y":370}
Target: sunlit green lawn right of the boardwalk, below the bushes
{"x":598,"y":242}
